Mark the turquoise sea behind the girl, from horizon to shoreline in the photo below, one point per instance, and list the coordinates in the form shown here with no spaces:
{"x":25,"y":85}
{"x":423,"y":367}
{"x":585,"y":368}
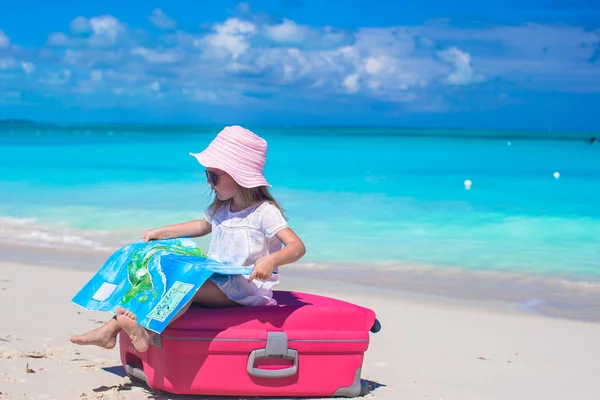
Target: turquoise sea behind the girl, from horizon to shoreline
{"x":362,"y":199}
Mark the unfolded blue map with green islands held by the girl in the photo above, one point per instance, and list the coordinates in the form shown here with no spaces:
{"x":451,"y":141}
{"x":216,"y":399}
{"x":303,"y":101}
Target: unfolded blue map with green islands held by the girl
{"x":153,"y":280}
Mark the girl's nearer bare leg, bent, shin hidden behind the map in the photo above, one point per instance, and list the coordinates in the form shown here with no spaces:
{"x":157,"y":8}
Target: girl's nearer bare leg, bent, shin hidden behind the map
{"x":209,"y":295}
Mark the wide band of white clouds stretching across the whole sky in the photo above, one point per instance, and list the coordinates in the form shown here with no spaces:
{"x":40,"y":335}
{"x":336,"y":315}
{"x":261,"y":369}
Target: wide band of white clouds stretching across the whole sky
{"x":248,"y":55}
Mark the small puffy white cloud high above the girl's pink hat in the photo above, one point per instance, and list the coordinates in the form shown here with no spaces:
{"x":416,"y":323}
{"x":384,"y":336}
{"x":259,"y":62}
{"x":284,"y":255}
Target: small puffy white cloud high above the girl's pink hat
{"x":231,"y":38}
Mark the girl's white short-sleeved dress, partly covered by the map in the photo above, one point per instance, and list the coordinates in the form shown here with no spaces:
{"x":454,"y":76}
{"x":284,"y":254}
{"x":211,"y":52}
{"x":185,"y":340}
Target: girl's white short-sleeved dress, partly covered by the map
{"x":241,"y":238}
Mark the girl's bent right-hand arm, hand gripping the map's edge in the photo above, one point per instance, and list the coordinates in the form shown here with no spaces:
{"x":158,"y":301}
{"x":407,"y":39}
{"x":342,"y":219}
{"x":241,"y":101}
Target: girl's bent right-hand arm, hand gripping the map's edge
{"x":294,"y":250}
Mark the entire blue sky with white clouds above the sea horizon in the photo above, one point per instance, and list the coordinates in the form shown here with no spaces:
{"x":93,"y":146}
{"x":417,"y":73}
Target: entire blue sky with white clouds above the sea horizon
{"x":528,"y":64}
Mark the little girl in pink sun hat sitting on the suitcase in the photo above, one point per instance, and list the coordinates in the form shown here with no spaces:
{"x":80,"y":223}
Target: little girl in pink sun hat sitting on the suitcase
{"x":247,"y":226}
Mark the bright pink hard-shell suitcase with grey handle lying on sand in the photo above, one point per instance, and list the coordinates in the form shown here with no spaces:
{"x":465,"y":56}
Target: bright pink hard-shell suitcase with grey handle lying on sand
{"x":307,"y":345}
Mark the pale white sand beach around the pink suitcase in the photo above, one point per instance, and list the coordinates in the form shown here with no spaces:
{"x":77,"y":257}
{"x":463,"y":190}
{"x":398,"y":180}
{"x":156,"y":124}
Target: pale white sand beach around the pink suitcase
{"x":429,"y":348}
